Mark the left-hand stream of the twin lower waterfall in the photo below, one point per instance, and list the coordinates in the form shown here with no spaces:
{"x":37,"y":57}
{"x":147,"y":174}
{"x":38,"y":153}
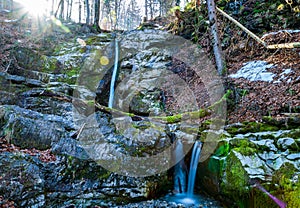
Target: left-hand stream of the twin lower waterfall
{"x":180,"y":169}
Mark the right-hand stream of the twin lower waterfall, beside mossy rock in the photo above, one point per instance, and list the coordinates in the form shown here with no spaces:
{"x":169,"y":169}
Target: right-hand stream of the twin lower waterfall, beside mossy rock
{"x":193,"y":167}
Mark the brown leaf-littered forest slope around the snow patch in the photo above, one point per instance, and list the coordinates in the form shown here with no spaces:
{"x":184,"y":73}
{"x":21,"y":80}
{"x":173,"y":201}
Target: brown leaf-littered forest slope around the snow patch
{"x":253,"y":100}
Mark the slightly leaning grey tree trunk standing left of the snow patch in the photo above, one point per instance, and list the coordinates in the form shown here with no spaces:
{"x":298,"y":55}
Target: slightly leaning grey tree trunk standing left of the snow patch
{"x":214,"y":32}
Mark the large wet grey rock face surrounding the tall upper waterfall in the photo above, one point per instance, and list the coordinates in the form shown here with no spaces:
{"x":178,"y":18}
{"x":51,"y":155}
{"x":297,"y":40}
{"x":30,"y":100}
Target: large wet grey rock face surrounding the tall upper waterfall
{"x":46,"y":106}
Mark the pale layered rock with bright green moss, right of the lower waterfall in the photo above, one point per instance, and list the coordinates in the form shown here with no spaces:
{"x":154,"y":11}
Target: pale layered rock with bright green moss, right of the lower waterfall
{"x":259,"y":154}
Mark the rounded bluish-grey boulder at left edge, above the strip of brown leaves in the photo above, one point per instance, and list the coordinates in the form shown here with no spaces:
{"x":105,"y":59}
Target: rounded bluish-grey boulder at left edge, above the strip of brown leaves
{"x":29,"y":129}
